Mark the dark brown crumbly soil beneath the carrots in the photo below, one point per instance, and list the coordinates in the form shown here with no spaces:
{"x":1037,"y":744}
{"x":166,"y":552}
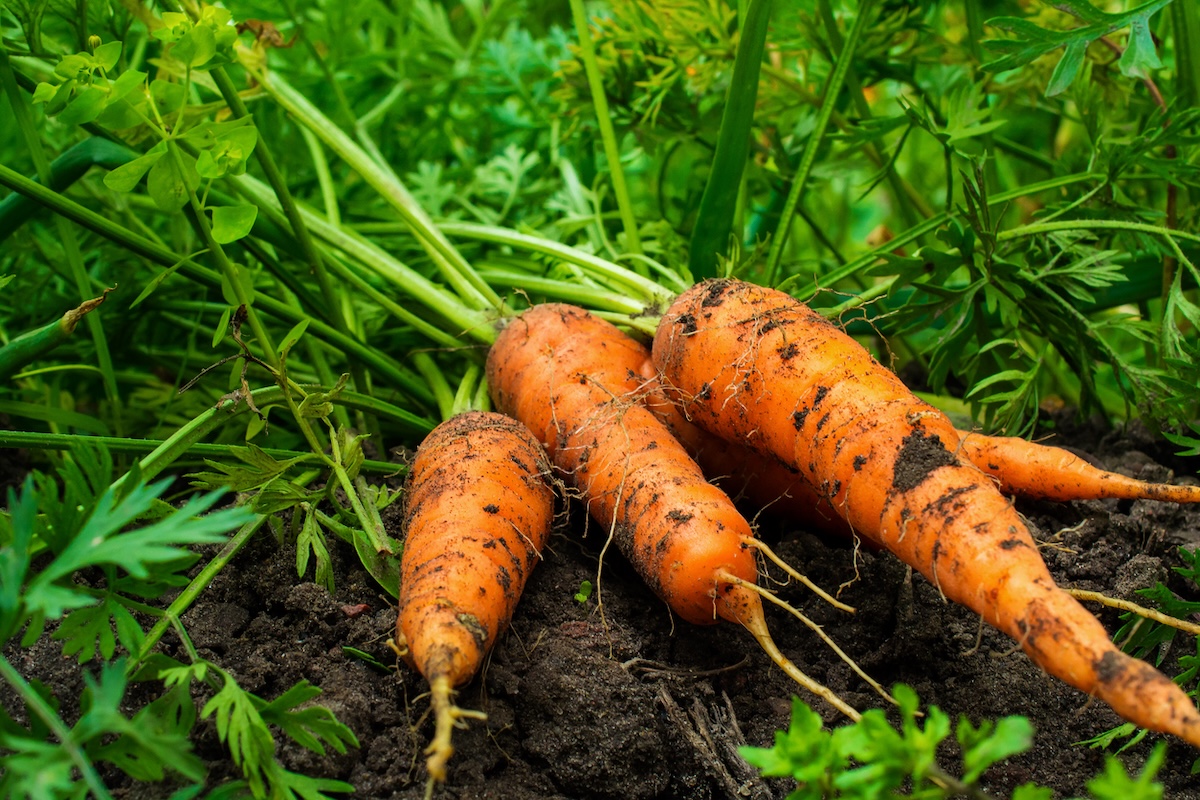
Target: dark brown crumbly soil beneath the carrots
{"x":633,"y":705}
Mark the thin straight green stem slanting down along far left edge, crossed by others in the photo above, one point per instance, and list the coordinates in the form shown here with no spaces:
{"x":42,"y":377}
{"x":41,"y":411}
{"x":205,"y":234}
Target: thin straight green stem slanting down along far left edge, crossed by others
{"x":67,"y":233}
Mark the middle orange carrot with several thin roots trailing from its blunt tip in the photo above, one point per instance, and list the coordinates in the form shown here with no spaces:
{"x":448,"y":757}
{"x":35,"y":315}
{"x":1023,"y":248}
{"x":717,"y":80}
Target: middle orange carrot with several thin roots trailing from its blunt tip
{"x":574,"y":381}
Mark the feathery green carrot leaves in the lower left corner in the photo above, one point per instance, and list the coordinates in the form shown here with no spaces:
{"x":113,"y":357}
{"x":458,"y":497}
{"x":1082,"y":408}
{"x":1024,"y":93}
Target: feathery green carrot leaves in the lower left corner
{"x":88,"y":562}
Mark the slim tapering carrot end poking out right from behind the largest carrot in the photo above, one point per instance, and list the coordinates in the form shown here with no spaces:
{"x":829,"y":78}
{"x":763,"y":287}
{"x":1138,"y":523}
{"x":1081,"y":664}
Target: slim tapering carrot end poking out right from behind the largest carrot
{"x":1052,"y":473}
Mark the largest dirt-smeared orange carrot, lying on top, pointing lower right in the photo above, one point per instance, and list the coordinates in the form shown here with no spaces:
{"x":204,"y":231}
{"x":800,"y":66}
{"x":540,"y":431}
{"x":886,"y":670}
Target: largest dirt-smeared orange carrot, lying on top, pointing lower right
{"x":754,"y":365}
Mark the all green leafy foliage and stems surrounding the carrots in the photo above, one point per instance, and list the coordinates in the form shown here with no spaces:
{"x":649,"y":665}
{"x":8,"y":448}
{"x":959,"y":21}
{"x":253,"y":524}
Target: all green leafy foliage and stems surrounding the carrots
{"x":305,"y":214}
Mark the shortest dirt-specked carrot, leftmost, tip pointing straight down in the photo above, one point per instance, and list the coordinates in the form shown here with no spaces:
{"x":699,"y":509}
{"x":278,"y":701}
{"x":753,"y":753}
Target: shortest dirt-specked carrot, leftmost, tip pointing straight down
{"x":479,"y":512}
